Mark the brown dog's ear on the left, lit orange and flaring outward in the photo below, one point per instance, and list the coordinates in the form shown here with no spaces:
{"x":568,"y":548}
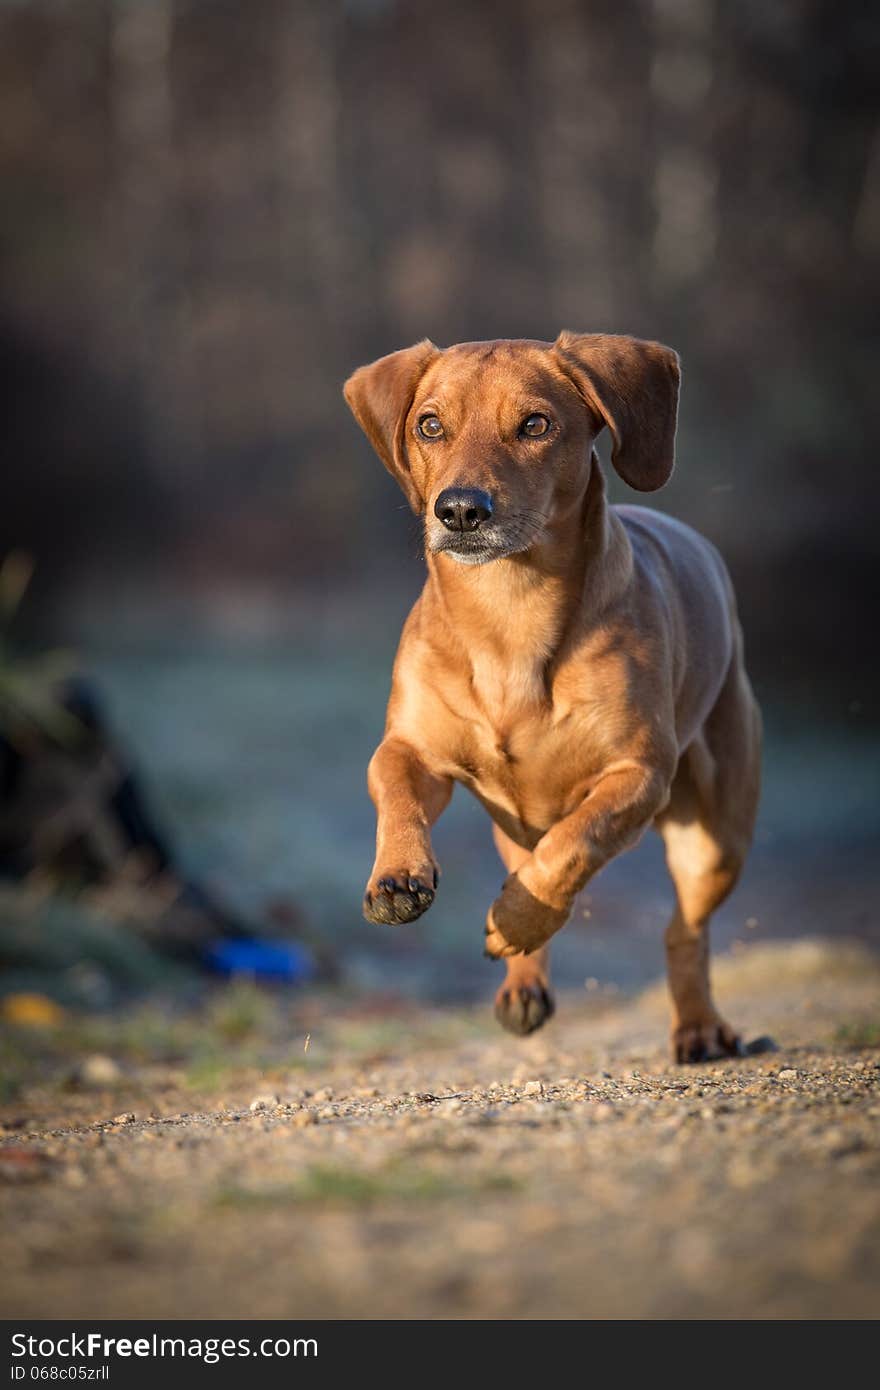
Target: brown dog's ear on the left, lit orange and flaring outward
{"x":380,"y":397}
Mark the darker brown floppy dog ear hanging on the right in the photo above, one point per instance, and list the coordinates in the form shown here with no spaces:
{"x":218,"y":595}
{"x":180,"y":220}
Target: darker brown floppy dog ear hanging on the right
{"x":633,"y":387}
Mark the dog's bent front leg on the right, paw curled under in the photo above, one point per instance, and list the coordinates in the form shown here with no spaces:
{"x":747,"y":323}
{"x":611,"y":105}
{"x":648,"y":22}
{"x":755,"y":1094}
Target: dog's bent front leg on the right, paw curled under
{"x":537,"y":900}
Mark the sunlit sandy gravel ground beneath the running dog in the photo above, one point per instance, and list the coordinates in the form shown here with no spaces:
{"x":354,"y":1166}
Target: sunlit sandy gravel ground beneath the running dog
{"x":421,"y":1164}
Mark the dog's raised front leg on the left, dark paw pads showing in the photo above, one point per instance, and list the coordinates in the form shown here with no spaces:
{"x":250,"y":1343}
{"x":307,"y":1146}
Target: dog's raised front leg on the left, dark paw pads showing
{"x":408,"y":800}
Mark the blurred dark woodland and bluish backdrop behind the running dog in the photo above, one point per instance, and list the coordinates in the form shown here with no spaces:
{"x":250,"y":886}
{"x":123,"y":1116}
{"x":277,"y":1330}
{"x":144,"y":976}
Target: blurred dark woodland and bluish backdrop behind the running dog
{"x":213,"y":212}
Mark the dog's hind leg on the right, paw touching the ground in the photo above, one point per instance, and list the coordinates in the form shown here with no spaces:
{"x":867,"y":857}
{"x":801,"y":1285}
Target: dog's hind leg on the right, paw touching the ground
{"x":707,"y":829}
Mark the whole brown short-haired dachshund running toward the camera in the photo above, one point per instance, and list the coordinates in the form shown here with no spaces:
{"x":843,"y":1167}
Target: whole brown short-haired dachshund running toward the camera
{"x":578,"y":667}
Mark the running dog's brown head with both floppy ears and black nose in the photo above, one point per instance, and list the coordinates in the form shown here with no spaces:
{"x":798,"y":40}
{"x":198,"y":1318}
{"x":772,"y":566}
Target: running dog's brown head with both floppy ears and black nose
{"x":494,"y":441}
